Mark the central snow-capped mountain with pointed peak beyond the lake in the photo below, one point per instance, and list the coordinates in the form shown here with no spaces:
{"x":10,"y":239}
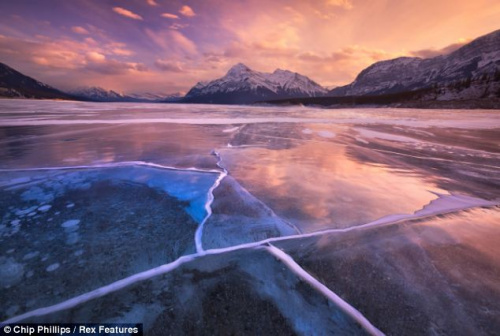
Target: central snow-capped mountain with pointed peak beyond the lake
{"x":242,"y":85}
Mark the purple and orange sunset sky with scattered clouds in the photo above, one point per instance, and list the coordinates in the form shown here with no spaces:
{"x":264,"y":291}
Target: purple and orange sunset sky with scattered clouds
{"x":167,"y":46}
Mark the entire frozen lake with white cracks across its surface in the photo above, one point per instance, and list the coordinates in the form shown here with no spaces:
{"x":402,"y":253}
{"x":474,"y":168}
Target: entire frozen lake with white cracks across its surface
{"x":245,"y":220}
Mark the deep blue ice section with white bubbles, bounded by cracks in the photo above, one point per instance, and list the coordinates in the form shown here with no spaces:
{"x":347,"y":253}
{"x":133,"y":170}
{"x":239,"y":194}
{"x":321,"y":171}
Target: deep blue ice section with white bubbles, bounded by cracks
{"x":112,"y":210}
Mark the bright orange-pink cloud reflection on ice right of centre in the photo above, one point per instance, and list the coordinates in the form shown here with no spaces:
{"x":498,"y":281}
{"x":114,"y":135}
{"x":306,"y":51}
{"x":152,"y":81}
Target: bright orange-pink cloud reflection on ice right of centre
{"x":317,"y":186}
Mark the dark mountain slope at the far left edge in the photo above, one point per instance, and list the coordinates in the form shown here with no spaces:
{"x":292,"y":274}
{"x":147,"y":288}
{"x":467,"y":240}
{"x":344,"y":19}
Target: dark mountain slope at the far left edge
{"x":14,"y":84}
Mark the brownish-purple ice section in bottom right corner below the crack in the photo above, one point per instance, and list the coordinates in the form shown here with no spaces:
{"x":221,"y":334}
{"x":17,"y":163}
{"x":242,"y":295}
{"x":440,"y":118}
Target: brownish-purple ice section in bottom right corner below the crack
{"x":438,"y":275}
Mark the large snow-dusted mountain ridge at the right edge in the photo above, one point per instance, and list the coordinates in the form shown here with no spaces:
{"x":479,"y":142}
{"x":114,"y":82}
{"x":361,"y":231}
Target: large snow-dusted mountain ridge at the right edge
{"x":472,"y":61}
